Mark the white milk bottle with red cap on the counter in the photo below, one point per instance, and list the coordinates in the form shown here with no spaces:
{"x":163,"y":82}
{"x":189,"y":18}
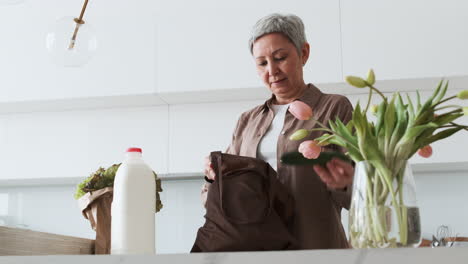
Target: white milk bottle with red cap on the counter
{"x":133,"y":207}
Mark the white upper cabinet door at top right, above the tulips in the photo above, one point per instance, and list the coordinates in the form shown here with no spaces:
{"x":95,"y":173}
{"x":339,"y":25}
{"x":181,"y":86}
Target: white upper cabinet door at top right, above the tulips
{"x":405,"y":39}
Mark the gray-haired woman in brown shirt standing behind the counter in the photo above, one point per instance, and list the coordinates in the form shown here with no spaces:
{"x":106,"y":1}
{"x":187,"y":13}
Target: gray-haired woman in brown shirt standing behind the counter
{"x":279,"y":47}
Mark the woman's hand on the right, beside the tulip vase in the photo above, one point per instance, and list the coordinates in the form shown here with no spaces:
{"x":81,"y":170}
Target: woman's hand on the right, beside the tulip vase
{"x":336,"y":174}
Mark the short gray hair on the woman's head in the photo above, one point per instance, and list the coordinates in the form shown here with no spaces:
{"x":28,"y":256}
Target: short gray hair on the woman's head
{"x":289,"y":25}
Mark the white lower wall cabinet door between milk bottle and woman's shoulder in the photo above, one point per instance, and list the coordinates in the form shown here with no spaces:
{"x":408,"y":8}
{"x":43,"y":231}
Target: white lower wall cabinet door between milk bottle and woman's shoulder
{"x":197,"y":129}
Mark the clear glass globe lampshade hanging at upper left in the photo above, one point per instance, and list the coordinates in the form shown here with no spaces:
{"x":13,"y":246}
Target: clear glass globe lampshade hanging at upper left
{"x":71,"y":42}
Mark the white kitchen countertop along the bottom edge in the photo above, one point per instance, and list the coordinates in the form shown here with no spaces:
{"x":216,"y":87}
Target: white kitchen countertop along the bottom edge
{"x":372,"y":256}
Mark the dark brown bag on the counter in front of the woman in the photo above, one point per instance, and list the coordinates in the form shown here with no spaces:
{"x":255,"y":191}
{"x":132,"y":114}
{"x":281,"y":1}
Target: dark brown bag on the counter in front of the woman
{"x":247,"y":208}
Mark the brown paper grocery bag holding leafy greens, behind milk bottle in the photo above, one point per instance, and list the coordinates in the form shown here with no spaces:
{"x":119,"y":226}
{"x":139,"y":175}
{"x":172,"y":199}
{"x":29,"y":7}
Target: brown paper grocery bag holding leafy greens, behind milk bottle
{"x":96,"y":207}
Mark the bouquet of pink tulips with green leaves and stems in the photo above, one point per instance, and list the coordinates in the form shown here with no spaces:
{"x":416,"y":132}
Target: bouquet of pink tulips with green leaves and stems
{"x":401,"y":128}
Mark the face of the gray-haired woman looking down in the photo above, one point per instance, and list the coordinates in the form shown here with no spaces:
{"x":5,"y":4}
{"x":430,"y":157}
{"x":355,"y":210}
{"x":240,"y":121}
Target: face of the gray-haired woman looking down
{"x":280,"y":66}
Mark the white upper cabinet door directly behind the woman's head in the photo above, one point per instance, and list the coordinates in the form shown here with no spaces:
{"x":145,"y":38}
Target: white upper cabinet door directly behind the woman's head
{"x":203,"y":45}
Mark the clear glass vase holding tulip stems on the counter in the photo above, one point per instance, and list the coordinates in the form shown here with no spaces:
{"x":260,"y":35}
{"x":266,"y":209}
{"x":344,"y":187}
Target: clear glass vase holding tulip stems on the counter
{"x":384,"y":212}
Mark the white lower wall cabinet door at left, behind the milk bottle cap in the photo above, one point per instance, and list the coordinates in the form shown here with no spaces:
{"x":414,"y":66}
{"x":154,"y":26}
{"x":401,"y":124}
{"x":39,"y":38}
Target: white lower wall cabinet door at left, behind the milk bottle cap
{"x":76,"y":143}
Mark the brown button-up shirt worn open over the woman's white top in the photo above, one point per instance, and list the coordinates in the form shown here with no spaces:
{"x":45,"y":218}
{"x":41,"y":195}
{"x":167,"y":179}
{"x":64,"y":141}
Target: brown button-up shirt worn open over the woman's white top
{"x":318,"y":208}
